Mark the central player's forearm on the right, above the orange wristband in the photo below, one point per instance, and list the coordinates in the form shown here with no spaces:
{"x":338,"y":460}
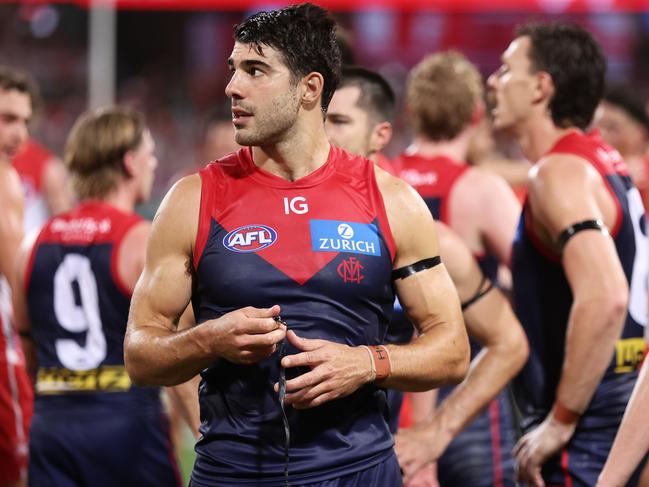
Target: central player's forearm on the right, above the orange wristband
{"x":438,"y":357}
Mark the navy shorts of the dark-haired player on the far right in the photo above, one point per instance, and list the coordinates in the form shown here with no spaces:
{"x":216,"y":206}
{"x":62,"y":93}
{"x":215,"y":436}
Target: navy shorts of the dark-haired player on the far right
{"x":580,"y":463}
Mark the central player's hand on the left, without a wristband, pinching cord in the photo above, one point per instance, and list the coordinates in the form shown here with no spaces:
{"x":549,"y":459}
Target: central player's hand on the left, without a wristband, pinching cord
{"x":246,"y":335}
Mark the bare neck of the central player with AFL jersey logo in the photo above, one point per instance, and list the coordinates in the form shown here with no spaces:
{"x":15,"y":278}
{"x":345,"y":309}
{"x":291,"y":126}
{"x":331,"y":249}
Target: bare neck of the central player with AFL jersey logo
{"x":302,"y":150}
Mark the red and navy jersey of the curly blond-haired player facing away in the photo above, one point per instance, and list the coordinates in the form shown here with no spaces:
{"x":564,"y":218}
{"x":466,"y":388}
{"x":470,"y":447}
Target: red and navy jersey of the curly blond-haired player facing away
{"x":434,"y":179}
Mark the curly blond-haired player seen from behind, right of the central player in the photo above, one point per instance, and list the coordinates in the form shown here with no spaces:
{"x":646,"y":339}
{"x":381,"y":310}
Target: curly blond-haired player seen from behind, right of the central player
{"x":445,"y":105}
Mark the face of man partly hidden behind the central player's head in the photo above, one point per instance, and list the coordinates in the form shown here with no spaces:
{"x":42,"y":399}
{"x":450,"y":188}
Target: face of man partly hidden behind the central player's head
{"x":347,"y":125}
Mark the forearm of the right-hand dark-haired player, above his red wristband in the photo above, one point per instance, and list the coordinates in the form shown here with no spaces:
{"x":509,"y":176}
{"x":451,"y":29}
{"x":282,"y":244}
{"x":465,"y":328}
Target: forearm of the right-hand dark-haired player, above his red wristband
{"x":593,"y":328}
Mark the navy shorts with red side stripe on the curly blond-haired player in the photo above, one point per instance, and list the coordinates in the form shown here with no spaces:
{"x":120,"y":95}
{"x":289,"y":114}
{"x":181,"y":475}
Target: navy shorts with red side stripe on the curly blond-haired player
{"x":481,"y":455}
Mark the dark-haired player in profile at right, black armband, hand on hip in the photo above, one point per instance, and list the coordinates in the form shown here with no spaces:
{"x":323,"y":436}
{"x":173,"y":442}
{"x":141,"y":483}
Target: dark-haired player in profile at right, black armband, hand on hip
{"x":579,"y":260}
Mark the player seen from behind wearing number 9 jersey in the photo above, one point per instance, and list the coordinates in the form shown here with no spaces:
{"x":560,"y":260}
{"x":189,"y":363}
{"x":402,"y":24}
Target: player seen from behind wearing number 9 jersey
{"x":91,"y":425}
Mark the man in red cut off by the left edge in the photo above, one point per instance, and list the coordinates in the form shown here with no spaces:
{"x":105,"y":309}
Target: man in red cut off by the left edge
{"x":16,"y":101}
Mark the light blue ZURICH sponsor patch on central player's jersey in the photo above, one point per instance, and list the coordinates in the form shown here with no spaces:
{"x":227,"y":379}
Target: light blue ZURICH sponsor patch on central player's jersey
{"x":349,"y":237}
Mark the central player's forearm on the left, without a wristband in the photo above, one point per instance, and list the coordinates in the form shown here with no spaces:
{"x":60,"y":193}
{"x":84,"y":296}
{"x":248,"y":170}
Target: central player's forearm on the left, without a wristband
{"x":155,"y":356}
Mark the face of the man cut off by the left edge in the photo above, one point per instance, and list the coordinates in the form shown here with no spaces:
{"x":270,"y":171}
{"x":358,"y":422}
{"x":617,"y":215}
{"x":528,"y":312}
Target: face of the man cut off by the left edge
{"x":15,"y":114}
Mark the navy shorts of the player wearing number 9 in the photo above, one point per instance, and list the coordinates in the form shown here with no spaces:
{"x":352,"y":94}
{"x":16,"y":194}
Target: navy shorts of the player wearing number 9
{"x":68,"y":449}
